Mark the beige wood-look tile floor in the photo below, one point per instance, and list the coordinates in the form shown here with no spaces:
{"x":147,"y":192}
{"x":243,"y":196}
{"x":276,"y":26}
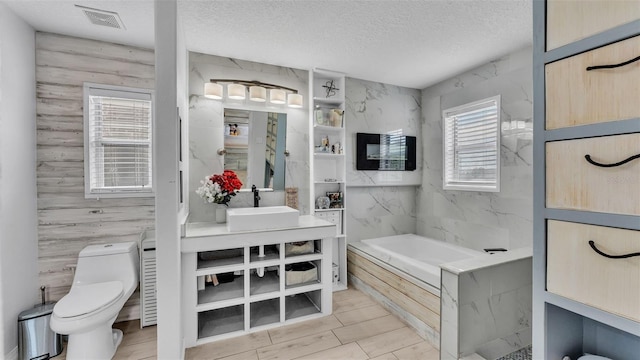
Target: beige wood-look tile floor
{"x":358,"y":329}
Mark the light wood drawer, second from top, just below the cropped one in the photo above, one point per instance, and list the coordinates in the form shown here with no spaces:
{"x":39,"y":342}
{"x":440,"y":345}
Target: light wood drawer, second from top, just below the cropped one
{"x":575,"y":96}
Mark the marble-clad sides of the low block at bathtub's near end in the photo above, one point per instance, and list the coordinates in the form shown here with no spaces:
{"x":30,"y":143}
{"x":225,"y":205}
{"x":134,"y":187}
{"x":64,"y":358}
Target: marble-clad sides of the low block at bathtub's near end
{"x":486,"y":311}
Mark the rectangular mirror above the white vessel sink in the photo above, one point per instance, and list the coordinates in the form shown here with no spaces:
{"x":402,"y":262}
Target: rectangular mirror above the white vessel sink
{"x":255,"y":142}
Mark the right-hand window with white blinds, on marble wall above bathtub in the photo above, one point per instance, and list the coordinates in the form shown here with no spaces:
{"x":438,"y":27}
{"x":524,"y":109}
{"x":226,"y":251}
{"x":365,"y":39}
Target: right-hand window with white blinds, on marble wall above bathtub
{"x":471,"y":146}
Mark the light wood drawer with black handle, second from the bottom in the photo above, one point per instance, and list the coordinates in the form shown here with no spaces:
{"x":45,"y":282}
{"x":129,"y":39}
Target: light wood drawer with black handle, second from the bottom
{"x":573,"y":183}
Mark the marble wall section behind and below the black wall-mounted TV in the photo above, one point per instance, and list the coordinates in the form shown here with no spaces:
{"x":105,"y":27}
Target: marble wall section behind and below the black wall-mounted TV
{"x":380,"y":203}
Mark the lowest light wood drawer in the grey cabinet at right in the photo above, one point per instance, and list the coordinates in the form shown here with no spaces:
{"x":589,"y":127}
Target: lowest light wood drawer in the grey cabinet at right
{"x":576,"y":271}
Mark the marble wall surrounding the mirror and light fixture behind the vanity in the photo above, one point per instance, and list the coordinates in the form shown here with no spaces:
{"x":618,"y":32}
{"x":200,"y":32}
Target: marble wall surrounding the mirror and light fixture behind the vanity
{"x":206,"y":129}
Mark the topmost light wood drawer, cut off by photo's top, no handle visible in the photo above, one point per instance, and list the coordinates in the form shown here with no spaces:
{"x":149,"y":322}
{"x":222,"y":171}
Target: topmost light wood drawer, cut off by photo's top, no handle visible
{"x":568,"y":21}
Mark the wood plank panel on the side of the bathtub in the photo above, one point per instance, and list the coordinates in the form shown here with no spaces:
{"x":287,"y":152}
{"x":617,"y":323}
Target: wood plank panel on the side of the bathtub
{"x":415,"y":300}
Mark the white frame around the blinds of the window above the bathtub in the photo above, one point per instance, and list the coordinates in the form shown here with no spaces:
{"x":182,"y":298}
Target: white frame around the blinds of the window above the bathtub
{"x":468,"y":185}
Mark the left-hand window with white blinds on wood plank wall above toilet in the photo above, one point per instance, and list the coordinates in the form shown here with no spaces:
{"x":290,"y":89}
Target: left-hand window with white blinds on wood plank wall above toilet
{"x":118,"y":147}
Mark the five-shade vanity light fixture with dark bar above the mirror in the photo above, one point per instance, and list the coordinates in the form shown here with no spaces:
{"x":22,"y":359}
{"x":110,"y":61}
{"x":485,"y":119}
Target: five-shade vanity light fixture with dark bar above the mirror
{"x":237,"y":90}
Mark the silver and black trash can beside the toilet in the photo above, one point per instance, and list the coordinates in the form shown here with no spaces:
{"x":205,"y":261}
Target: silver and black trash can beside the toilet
{"x":36,"y":340}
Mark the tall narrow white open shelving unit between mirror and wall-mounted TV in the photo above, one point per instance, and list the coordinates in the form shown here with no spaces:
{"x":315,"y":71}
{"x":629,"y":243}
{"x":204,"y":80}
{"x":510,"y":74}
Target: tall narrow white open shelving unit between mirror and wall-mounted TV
{"x":328,"y":160}
